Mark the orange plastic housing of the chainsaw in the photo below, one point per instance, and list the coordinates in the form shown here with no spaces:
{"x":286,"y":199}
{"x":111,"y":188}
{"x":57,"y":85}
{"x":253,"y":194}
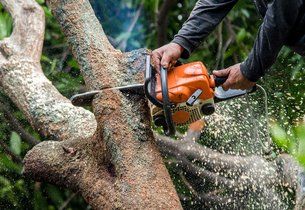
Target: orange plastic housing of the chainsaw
{"x":184,"y":80}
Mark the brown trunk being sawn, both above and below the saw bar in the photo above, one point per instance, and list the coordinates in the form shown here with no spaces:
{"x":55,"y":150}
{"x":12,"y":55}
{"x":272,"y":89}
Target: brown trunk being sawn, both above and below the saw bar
{"x":120,"y":167}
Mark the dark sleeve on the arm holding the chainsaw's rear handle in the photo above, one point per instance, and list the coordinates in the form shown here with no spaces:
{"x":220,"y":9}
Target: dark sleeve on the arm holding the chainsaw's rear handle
{"x":280,"y":18}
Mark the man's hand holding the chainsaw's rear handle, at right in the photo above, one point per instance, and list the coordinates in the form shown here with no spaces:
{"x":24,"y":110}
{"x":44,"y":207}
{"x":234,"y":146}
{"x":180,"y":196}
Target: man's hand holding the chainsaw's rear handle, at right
{"x":236,"y":80}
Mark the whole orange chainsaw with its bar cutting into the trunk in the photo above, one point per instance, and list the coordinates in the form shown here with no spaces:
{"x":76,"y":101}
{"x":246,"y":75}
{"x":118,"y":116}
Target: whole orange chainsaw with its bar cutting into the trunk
{"x":178,"y":97}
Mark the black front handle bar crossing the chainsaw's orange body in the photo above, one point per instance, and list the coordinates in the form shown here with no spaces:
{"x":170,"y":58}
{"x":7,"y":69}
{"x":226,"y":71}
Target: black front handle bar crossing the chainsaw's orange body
{"x":170,"y":129}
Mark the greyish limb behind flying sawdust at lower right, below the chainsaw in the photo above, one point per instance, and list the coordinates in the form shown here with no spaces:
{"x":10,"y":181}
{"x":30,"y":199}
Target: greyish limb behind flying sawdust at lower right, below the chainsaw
{"x":251,"y":181}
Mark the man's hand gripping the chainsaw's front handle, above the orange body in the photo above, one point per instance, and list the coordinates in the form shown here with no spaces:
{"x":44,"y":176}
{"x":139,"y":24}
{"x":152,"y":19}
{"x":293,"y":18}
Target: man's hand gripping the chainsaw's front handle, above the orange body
{"x":166,"y":55}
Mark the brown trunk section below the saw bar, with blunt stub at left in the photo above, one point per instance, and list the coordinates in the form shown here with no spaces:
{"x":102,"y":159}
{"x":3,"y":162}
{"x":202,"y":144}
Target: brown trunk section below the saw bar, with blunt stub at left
{"x":129,"y":175}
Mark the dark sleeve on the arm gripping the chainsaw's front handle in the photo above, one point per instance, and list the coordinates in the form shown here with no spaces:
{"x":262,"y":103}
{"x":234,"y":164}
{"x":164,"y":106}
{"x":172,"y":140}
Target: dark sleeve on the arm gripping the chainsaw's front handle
{"x":204,"y":18}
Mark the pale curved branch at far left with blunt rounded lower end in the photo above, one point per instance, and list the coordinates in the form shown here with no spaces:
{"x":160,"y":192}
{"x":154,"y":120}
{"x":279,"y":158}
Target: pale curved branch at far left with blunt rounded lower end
{"x":23,"y":81}
